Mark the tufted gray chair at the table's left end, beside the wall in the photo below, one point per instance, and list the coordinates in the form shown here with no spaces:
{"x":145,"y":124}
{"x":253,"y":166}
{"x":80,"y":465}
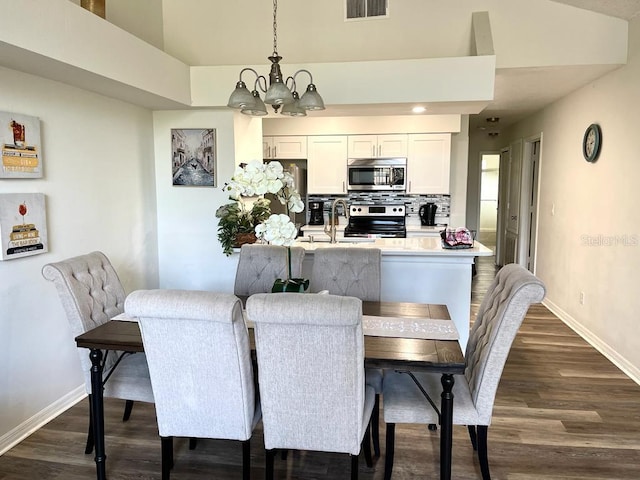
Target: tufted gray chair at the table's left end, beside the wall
{"x":91,"y":294}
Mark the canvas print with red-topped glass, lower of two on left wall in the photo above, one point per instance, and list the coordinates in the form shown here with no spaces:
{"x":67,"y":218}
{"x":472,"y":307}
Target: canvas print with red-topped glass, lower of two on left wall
{"x":23,"y":225}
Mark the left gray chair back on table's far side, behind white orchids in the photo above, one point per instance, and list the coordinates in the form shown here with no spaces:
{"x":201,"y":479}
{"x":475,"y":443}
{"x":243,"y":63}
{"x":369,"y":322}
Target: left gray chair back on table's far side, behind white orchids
{"x":260,"y":265}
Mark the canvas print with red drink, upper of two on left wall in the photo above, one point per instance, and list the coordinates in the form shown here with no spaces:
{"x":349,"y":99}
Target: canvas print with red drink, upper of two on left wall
{"x":20,"y":143}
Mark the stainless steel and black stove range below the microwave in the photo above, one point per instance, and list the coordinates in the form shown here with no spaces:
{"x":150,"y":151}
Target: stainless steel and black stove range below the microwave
{"x":376,"y":220}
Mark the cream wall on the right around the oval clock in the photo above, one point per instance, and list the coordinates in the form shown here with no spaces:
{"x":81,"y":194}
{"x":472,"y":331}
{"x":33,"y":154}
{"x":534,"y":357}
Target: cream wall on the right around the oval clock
{"x":592,"y":242}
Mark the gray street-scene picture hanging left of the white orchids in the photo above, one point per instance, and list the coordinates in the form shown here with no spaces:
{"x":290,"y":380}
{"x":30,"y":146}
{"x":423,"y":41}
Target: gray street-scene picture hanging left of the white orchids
{"x":193,"y":156}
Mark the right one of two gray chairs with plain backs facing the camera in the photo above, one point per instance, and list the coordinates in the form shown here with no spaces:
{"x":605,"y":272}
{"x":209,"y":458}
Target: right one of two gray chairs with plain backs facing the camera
{"x":310,"y":351}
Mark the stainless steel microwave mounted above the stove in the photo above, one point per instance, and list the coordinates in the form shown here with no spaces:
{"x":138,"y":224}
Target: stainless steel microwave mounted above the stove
{"x":381,"y":174}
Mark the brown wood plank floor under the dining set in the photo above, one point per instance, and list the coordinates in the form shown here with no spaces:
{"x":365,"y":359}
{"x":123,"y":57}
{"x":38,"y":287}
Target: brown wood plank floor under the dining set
{"x":562,"y":411}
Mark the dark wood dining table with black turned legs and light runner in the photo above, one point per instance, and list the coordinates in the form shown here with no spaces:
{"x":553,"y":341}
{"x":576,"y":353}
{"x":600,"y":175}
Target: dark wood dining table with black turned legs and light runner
{"x":397,"y":335}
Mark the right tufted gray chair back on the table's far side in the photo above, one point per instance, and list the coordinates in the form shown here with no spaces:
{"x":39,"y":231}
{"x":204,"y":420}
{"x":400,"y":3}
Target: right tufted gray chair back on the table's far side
{"x":347,"y":271}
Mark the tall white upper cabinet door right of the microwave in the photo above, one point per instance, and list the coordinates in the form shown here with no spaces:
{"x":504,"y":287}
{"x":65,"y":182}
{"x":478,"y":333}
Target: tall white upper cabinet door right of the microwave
{"x":428,"y":163}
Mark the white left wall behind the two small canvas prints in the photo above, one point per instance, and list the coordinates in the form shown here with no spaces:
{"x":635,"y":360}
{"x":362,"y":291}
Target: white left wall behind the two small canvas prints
{"x":100,"y":195}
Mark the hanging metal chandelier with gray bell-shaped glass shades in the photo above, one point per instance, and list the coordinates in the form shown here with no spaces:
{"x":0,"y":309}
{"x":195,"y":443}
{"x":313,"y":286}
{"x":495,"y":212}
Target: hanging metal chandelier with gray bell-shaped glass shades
{"x":280,"y":93}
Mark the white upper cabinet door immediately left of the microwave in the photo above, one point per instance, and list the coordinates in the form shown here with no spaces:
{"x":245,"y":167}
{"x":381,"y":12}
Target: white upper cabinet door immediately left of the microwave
{"x":327,"y":164}
